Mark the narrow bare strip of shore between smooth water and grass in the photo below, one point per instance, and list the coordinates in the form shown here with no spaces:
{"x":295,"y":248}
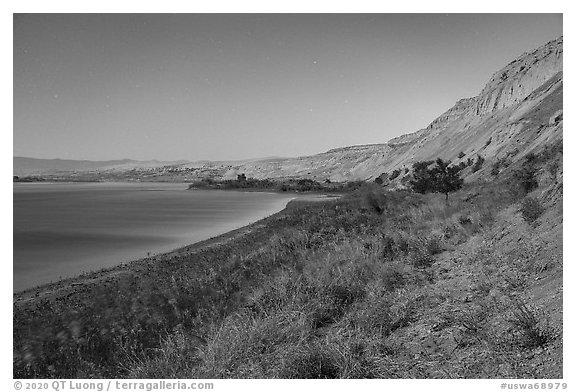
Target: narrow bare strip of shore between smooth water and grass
{"x":68,"y":286}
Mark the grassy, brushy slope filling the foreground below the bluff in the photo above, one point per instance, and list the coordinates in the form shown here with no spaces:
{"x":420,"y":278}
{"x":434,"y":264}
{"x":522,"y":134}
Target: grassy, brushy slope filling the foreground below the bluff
{"x":326,"y":290}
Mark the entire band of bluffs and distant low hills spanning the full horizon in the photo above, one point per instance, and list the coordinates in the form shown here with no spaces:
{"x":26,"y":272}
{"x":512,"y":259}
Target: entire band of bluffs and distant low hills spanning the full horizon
{"x":519,"y":109}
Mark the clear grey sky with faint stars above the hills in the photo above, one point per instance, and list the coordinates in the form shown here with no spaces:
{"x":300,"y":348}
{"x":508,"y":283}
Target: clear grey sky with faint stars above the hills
{"x":220,"y":87}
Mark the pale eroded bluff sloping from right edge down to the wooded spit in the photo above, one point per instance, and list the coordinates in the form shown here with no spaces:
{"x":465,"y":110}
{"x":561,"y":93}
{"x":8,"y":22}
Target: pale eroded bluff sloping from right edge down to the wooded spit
{"x":519,"y":109}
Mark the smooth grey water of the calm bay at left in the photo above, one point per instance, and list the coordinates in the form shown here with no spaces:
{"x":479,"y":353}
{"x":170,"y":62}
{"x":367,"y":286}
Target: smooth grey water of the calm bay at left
{"x":62,"y":230}
